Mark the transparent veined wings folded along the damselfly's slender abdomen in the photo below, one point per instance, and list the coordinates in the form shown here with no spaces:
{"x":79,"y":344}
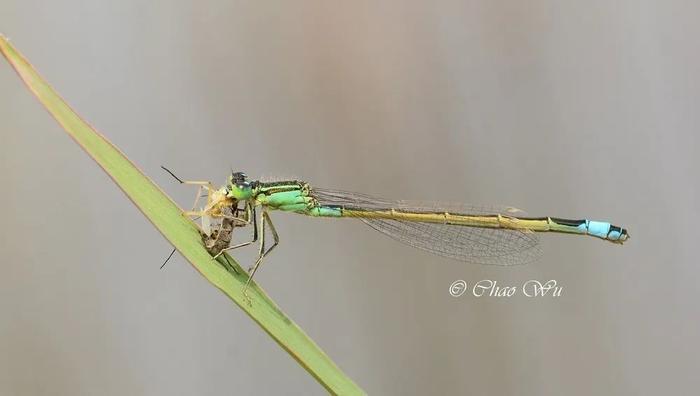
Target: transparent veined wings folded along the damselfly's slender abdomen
{"x":492,"y":246}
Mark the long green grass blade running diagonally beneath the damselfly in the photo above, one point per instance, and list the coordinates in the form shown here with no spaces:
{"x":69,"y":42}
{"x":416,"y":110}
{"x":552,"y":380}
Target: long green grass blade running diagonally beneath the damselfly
{"x":167,"y":217}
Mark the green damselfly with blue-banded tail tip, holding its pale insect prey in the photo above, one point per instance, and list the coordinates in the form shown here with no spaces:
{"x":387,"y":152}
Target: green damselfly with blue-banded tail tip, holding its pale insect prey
{"x":484,"y":235}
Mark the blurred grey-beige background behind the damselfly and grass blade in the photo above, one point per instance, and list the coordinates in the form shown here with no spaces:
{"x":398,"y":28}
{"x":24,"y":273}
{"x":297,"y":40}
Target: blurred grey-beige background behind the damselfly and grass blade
{"x":571,"y":109}
